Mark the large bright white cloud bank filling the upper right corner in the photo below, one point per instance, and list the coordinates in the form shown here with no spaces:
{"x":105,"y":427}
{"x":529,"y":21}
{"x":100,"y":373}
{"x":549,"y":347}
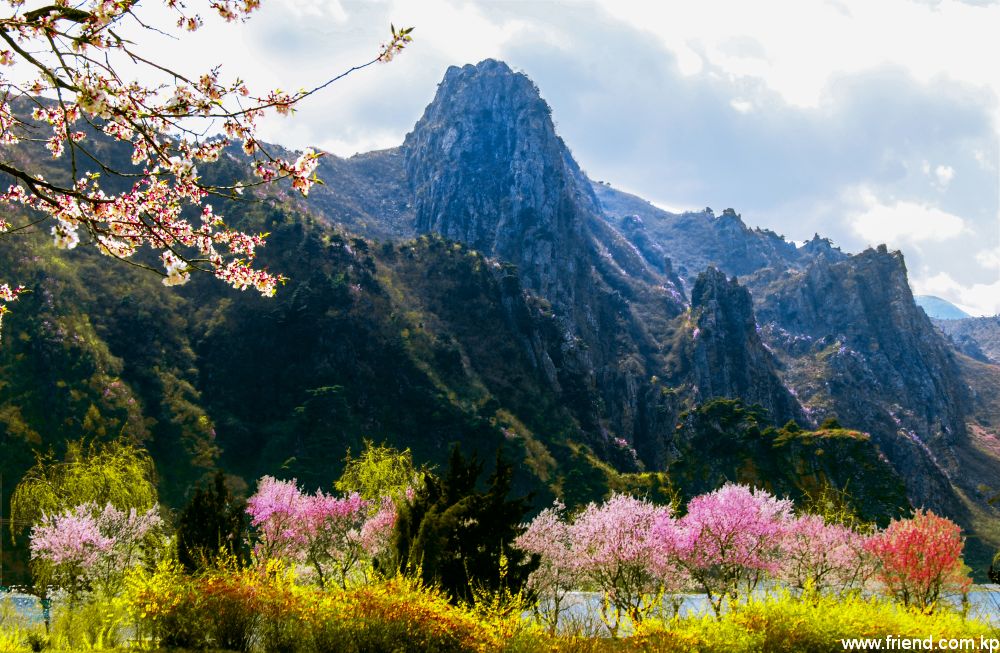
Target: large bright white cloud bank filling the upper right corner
{"x":806,"y":43}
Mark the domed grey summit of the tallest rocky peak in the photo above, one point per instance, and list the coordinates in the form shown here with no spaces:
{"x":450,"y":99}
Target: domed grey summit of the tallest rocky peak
{"x":487,"y":168}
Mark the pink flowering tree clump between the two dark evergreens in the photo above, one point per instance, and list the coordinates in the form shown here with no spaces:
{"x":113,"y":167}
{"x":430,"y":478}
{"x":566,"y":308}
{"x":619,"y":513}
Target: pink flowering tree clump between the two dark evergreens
{"x":330,"y":535}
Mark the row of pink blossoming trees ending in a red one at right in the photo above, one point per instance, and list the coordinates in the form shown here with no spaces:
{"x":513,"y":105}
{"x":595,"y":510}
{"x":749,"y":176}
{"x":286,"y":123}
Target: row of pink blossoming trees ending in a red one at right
{"x":726,"y":544}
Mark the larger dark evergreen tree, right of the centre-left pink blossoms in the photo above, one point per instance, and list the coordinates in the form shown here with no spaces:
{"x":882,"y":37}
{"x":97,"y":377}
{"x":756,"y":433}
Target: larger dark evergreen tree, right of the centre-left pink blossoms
{"x":456,"y":535}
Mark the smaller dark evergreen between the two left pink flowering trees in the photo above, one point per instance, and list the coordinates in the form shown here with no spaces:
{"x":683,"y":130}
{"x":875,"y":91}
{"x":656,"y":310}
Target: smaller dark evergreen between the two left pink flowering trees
{"x":213,"y":523}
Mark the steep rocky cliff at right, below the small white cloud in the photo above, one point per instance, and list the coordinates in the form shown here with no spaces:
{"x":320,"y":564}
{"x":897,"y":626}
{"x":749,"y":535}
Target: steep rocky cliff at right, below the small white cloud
{"x":858,"y":348}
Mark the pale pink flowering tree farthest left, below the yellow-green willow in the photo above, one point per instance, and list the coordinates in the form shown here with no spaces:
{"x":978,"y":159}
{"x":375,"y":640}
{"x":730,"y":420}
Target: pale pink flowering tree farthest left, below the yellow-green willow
{"x":89,"y":547}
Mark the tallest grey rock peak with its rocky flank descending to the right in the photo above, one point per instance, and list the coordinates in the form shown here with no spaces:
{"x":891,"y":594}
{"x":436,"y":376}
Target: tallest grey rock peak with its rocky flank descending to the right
{"x":486,"y":168}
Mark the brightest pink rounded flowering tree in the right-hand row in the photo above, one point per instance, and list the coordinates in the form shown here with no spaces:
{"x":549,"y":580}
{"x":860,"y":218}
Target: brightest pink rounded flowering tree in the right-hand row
{"x":728,"y":540}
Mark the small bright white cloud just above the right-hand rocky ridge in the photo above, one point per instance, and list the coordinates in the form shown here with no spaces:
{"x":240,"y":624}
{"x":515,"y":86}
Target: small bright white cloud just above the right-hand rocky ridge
{"x":899,"y":222}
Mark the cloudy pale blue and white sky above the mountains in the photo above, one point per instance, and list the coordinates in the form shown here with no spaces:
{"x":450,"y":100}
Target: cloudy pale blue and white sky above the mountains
{"x":867,"y":121}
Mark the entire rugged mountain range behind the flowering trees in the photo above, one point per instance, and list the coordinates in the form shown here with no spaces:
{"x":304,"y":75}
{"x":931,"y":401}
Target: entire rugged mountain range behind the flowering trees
{"x":473,"y":285}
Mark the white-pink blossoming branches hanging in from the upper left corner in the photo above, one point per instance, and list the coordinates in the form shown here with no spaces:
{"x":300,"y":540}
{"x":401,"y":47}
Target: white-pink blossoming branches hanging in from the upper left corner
{"x":62,"y":80}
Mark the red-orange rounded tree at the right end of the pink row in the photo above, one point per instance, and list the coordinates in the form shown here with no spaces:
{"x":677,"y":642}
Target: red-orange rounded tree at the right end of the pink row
{"x":920,"y":559}
